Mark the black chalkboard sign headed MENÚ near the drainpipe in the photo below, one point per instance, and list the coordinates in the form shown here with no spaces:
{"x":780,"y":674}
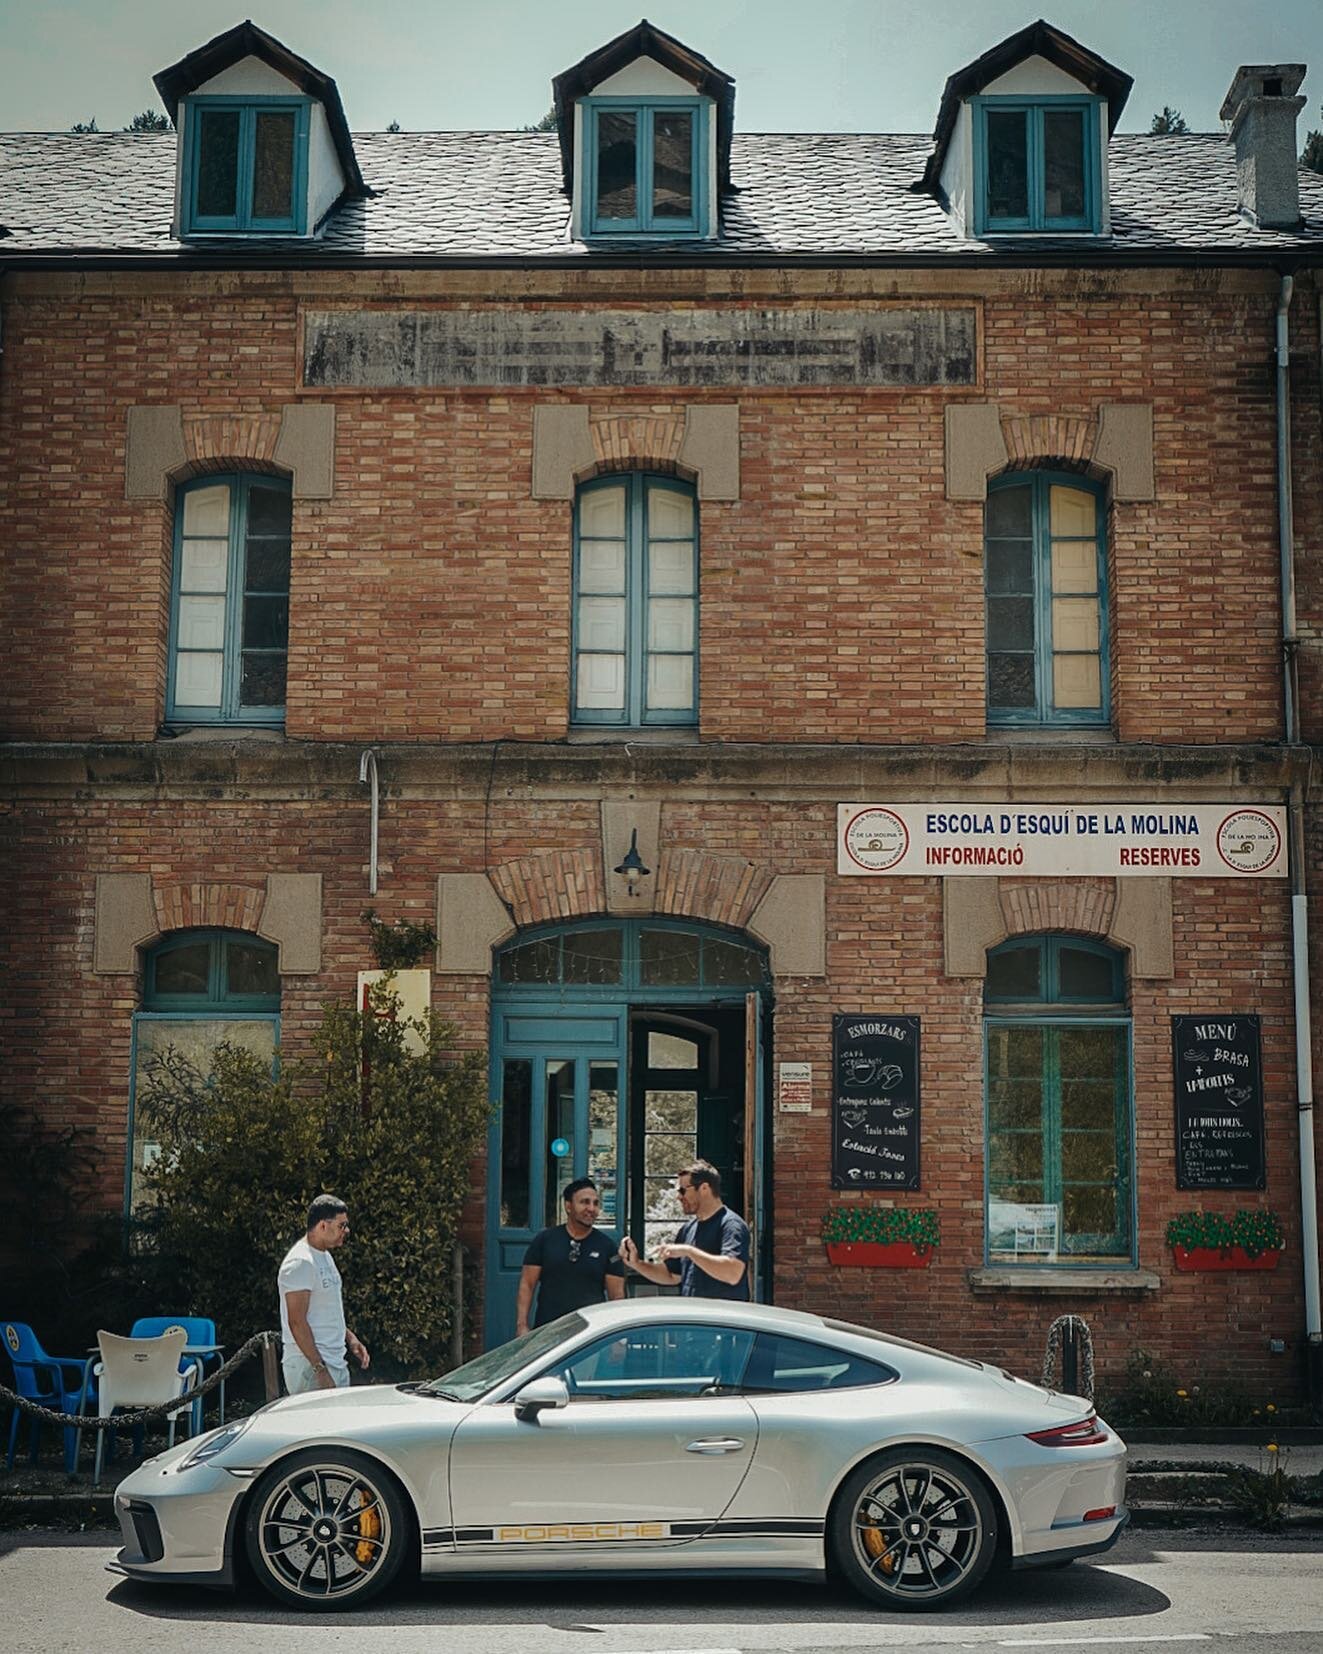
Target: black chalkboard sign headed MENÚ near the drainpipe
{"x":1220,"y":1102}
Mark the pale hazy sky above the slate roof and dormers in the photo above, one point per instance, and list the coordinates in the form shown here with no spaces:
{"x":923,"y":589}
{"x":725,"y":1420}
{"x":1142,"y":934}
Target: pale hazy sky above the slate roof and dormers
{"x":800,"y":65}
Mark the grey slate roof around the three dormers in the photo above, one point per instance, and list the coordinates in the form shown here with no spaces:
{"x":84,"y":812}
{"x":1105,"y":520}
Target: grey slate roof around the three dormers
{"x":497,"y":198}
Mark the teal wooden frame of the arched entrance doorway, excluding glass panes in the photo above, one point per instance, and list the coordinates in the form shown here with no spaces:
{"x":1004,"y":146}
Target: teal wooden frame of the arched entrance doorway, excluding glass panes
{"x":588,"y":1025}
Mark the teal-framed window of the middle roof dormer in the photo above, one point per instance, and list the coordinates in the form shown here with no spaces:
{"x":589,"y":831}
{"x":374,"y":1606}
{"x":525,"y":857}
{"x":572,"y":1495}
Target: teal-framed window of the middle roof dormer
{"x":646,"y":166}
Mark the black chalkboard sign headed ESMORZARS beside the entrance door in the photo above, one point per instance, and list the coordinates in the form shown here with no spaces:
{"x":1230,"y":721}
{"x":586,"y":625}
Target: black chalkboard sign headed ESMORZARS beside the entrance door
{"x":876,"y":1102}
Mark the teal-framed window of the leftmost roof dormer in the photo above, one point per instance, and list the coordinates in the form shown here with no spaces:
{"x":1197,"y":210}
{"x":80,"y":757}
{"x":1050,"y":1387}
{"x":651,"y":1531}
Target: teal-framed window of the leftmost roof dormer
{"x":246,"y":165}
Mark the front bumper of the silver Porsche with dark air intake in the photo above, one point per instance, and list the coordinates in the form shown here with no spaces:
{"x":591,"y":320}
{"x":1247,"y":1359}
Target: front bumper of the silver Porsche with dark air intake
{"x":179,"y":1524}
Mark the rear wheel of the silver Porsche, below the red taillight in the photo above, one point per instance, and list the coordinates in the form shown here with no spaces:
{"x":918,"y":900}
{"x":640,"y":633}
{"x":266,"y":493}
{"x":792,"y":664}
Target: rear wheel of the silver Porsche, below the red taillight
{"x":914,"y":1529}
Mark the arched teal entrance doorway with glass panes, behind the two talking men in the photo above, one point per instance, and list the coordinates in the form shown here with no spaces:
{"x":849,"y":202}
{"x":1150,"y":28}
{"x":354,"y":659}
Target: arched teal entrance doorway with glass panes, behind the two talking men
{"x":621,"y":1053}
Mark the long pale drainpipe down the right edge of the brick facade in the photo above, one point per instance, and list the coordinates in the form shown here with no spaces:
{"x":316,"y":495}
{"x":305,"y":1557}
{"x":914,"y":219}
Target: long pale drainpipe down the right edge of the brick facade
{"x":1301,"y":904}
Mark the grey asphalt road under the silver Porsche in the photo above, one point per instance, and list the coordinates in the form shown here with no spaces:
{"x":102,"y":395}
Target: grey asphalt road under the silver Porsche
{"x":1158,"y":1590}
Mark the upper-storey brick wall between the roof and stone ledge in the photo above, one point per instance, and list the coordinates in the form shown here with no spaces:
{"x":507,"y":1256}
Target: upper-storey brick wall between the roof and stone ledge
{"x":841,"y":596}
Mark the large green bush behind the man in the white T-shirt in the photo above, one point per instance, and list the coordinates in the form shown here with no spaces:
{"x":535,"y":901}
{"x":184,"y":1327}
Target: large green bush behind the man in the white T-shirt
{"x":242,"y":1154}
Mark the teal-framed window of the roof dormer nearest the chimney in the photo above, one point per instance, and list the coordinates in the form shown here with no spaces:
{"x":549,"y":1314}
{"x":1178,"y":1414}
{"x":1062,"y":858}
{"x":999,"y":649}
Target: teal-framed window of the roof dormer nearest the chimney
{"x":1036,"y":165}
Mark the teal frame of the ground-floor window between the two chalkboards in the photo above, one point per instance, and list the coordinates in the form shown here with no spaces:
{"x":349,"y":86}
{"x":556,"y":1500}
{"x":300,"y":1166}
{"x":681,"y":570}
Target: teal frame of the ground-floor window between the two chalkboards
{"x":1120,"y":1248}
